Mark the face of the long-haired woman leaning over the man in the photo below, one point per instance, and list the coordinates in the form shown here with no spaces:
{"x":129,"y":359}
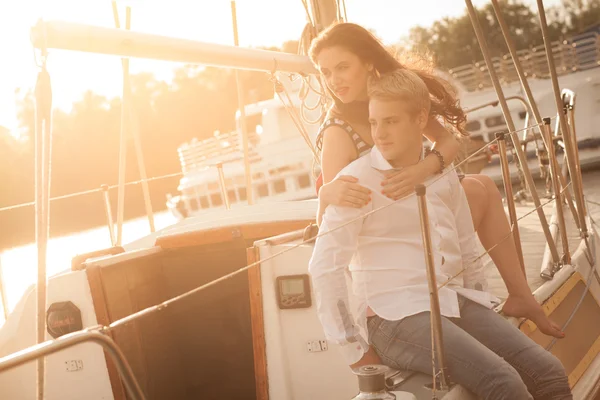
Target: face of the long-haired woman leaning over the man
{"x":346,"y":74}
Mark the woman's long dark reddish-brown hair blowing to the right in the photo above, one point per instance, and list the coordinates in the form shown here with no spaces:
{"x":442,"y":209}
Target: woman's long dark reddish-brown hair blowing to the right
{"x":369,"y":49}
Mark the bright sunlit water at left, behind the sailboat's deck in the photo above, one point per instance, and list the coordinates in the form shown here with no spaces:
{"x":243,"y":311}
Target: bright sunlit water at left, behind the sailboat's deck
{"x":19,"y":265}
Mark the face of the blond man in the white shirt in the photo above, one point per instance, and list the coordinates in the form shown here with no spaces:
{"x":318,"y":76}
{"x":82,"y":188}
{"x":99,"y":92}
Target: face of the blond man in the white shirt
{"x":396,"y":133}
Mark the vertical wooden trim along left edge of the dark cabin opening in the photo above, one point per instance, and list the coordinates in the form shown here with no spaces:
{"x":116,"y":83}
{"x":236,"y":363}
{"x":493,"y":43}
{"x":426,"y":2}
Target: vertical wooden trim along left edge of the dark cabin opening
{"x":99,"y":300}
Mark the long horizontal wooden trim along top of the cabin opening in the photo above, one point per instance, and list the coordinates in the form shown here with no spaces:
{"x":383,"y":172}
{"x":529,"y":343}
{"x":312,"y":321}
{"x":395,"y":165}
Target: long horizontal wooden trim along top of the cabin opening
{"x":221,"y":235}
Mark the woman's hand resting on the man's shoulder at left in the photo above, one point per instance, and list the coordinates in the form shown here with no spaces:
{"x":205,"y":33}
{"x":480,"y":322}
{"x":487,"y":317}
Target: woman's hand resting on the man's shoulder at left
{"x":346,"y":192}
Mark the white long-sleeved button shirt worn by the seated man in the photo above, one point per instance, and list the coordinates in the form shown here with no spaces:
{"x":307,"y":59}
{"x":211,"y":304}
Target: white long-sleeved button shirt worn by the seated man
{"x":385,"y":256}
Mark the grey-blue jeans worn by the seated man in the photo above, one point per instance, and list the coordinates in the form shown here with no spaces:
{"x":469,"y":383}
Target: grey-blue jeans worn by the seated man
{"x":484,"y":353}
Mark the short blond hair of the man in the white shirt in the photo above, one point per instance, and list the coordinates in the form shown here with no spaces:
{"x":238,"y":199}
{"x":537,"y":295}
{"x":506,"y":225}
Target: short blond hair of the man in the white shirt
{"x":401,"y":85}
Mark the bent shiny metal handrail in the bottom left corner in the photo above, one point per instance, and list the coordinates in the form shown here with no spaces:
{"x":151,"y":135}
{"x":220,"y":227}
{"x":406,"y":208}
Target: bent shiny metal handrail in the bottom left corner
{"x":49,"y":347}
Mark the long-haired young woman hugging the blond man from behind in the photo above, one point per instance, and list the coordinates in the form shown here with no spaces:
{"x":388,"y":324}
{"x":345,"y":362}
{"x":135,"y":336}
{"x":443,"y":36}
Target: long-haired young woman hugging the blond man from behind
{"x":347,"y":55}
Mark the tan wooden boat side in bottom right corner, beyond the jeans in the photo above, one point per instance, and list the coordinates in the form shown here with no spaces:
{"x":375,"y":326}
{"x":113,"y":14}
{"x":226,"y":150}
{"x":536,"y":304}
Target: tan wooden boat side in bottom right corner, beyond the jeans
{"x":582,"y":337}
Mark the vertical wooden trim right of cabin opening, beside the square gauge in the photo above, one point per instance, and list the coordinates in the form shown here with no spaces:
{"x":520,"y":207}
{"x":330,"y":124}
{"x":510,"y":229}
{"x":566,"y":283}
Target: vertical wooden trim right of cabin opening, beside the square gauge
{"x":258,"y":326}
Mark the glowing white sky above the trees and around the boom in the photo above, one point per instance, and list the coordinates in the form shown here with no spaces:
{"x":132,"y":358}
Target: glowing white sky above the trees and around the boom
{"x":260,"y":23}
